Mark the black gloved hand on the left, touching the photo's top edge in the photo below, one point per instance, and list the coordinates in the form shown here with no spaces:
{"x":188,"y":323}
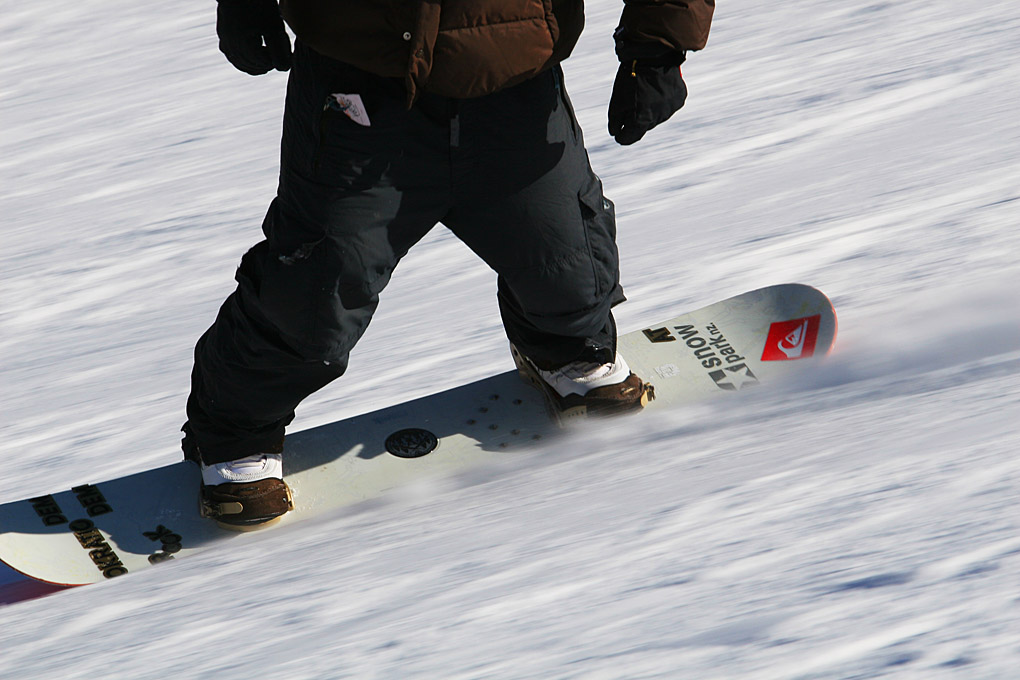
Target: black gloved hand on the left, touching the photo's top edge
{"x":243,"y":26}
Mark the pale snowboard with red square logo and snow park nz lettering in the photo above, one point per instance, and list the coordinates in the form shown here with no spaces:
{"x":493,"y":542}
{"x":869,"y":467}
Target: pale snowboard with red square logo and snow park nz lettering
{"x":100,"y":531}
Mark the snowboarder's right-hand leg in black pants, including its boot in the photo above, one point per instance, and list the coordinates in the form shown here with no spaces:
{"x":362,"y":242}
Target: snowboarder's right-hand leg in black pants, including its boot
{"x":528,"y":202}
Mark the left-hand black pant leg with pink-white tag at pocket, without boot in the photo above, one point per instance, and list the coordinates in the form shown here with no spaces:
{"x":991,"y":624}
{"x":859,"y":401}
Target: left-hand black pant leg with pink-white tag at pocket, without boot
{"x":344,"y":216}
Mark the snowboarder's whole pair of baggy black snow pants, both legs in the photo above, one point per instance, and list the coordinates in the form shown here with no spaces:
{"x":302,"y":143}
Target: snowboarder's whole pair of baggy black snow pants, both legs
{"x":507,"y":174}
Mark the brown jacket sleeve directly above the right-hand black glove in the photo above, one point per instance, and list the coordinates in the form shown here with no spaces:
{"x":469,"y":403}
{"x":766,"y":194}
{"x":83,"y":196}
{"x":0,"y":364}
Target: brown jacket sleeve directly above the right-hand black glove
{"x":678,"y":26}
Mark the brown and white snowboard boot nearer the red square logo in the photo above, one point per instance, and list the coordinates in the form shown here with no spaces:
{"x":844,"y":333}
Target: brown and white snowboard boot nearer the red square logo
{"x":587,"y":389}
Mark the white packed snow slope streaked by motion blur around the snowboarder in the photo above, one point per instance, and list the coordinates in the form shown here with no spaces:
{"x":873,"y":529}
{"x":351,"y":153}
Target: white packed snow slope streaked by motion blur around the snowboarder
{"x":859,"y":525}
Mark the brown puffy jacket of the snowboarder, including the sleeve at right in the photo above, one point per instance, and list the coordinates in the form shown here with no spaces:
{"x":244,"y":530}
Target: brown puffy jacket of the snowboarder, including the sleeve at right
{"x":470,"y":48}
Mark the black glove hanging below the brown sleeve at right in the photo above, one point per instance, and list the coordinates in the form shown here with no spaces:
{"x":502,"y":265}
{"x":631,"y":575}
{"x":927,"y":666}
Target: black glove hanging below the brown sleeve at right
{"x":647,"y":92}
